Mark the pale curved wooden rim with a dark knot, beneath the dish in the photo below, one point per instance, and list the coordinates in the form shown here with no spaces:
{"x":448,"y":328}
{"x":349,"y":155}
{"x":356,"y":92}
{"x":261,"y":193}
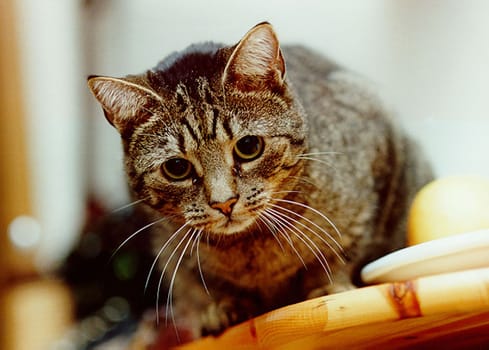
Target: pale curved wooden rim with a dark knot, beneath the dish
{"x":452,"y":293}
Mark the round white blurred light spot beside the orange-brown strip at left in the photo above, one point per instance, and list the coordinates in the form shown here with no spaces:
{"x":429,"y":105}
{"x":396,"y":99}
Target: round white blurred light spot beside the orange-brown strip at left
{"x":24,"y":232}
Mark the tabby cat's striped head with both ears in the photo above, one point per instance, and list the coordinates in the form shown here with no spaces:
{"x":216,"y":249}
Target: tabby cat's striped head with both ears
{"x":212,"y":134}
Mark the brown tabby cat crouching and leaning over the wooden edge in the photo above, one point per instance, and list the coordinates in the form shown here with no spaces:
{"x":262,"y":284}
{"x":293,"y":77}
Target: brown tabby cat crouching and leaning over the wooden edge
{"x":270,"y":175}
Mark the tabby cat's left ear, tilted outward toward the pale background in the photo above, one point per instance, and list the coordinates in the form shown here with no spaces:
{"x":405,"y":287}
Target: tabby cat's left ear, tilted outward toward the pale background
{"x":123,"y":101}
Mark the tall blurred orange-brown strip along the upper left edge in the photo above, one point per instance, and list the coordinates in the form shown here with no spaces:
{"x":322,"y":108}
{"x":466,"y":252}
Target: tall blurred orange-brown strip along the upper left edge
{"x":15,"y":195}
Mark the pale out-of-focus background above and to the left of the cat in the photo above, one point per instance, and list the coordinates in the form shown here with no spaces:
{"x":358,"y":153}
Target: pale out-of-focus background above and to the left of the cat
{"x":428,"y":58}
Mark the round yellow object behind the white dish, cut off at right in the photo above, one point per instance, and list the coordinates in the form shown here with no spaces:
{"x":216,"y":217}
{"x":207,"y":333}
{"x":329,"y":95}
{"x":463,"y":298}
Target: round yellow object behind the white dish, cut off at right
{"x":449,"y":206}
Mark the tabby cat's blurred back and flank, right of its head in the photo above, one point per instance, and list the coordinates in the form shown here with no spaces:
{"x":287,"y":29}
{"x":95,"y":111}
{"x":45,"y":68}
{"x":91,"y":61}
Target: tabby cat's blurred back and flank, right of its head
{"x":364,"y":160}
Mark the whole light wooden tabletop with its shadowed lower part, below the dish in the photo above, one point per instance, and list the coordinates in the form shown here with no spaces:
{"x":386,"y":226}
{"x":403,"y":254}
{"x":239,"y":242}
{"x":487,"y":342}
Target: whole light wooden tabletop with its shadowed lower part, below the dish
{"x":449,"y":310}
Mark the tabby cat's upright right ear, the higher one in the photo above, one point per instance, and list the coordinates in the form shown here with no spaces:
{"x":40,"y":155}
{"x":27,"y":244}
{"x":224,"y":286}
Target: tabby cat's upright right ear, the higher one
{"x":257,"y":62}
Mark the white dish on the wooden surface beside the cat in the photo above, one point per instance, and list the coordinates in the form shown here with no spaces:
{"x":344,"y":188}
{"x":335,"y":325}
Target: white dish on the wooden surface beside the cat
{"x":454,"y":253}
